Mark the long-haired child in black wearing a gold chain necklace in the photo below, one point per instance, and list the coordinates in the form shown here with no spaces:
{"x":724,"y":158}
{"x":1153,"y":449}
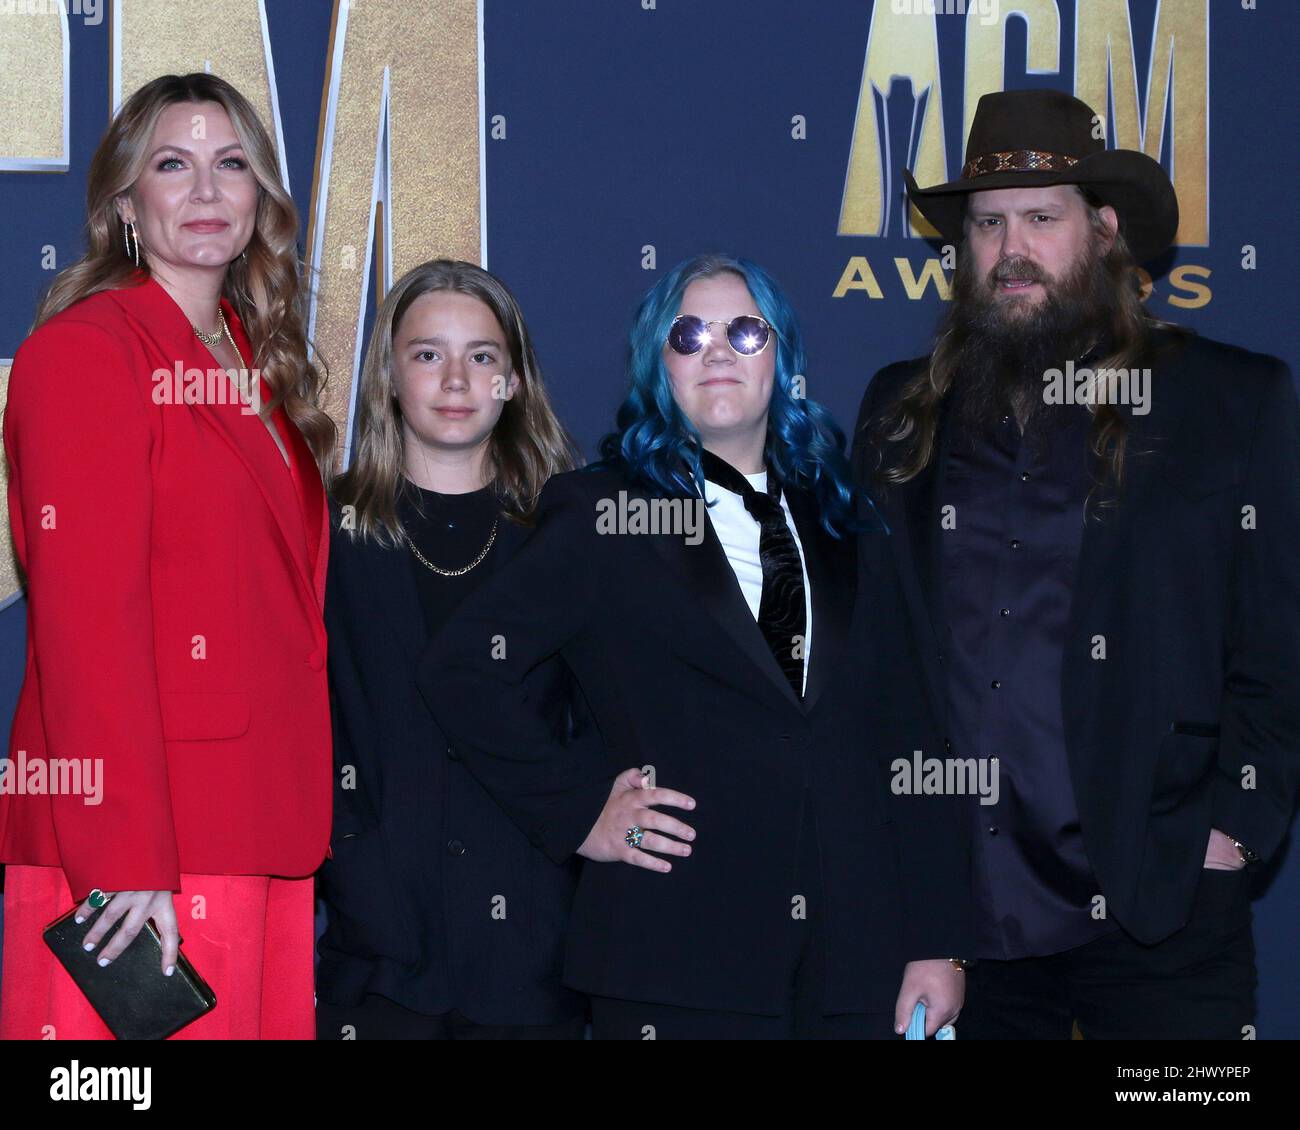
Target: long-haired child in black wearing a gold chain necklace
{"x":445,"y":923}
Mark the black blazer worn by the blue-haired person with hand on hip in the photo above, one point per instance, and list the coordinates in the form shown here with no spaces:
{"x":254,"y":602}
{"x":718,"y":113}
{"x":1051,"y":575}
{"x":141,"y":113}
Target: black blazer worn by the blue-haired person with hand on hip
{"x":677,"y":676}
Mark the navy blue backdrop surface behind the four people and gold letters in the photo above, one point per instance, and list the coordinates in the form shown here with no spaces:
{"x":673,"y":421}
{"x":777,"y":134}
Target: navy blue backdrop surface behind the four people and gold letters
{"x":675,"y":127}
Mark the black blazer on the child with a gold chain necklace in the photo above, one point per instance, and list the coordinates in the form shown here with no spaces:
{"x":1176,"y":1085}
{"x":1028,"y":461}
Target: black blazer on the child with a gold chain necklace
{"x":436,"y":900}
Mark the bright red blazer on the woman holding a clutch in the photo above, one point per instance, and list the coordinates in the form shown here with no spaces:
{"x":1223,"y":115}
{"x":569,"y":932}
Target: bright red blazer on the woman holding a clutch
{"x":176,"y":577}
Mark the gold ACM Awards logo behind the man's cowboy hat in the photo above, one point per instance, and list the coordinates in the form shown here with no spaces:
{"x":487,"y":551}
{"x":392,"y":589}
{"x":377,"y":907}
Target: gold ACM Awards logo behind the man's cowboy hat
{"x":1164,"y":115}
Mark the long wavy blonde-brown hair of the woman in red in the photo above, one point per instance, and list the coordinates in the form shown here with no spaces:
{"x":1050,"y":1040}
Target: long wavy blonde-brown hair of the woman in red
{"x":265,"y":285}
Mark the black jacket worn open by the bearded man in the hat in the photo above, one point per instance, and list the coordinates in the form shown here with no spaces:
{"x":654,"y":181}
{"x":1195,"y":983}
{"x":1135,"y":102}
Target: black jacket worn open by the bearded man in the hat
{"x":1201,"y":618}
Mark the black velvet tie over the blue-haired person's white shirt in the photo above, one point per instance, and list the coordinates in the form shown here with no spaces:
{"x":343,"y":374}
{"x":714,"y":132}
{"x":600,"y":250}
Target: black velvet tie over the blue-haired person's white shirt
{"x":782,"y":616}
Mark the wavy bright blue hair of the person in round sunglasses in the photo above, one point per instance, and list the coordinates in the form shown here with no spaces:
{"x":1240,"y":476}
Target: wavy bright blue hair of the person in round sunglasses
{"x":660,"y":448}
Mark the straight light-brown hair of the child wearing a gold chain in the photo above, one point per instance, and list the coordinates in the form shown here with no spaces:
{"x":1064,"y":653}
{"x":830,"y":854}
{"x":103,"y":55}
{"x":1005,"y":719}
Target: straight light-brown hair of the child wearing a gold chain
{"x":526,"y":448}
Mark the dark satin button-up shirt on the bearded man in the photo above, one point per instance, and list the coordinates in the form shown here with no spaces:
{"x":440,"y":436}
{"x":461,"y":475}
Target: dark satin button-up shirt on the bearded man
{"x":1008,"y":575}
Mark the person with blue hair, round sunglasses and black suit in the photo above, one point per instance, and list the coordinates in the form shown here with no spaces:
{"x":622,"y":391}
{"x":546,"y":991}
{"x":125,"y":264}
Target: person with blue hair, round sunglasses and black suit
{"x":720,"y":594}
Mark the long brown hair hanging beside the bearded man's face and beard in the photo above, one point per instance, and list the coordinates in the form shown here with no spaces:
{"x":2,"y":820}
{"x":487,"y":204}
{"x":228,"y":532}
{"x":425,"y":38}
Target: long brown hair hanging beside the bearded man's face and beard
{"x":915,"y":421}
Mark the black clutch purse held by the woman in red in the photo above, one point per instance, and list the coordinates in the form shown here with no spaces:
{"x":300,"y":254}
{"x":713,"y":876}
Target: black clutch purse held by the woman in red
{"x":131,"y":994}
